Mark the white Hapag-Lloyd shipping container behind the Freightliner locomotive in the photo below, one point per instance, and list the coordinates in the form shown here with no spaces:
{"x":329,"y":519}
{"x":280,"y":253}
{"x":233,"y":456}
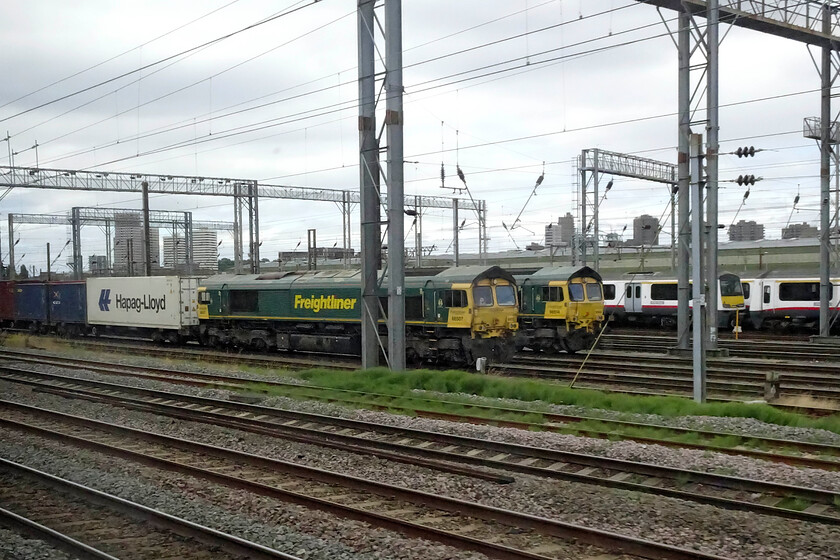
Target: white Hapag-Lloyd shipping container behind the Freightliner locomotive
{"x":158,"y":302}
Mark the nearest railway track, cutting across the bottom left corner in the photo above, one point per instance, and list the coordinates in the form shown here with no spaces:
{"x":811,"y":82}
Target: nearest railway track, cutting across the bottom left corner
{"x":90,"y":524}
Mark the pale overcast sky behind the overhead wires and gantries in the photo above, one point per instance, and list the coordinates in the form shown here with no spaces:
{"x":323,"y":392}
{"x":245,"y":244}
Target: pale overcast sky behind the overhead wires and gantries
{"x":503,"y":89}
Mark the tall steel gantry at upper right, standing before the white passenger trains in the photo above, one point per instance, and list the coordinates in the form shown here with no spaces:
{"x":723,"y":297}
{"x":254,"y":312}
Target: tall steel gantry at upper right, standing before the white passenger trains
{"x":811,"y":22}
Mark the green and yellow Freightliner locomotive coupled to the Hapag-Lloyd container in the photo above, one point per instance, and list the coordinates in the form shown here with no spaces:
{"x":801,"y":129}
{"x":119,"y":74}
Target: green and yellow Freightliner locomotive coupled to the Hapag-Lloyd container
{"x":454,"y":317}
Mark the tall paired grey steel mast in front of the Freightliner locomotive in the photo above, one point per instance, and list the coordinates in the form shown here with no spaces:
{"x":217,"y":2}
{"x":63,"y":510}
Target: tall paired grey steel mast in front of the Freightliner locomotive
{"x":385,"y":28}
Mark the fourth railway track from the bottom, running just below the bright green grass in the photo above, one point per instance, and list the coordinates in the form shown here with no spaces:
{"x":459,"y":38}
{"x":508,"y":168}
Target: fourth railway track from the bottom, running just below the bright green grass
{"x":812,"y":455}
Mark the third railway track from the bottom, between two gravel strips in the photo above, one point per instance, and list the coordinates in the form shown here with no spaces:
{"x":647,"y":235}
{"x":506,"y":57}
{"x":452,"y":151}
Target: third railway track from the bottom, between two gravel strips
{"x":425,"y":447}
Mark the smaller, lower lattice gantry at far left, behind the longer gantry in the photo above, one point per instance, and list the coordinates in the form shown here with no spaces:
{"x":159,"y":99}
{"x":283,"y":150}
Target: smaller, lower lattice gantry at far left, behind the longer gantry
{"x":106,"y":217}
